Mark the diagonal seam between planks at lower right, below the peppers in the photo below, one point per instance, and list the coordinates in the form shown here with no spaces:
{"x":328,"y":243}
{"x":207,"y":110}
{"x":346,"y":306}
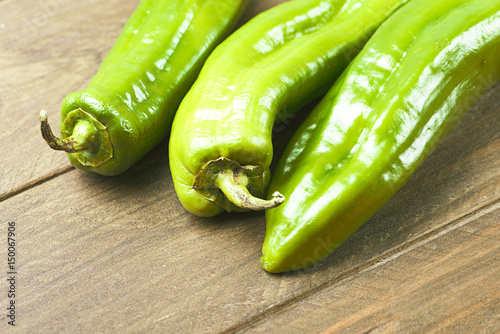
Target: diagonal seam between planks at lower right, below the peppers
{"x":385,"y":257}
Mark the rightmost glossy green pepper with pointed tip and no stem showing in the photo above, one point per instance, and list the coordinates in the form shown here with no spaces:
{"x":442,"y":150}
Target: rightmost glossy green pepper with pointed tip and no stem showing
{"x":409,"y":86}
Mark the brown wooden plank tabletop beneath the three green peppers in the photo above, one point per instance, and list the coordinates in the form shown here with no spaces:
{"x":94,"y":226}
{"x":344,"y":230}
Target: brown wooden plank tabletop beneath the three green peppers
{"x":120,"y":254}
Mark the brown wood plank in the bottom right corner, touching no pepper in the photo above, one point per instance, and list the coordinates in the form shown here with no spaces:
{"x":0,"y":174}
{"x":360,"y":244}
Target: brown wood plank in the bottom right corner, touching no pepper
{"x":446,"y":283}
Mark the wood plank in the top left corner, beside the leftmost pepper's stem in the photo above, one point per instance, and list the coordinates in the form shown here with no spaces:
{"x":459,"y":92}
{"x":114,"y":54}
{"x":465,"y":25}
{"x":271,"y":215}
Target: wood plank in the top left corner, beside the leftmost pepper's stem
{"x":49,"y":49}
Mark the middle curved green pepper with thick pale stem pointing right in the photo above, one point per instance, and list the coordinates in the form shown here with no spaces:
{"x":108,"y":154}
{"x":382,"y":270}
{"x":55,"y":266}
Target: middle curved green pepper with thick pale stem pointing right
{"x":220,"y":146}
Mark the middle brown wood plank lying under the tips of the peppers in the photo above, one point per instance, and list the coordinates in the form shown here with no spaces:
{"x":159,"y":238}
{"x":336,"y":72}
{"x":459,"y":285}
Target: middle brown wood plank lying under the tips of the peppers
{"x":120,"y":253}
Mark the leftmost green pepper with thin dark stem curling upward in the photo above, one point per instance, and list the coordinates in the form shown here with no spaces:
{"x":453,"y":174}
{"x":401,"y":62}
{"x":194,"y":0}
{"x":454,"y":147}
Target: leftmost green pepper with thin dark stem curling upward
{"x":129,"y":105}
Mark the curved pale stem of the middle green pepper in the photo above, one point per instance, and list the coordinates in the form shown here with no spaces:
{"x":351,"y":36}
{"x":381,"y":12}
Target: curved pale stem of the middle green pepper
{"x":234,"y":186}
